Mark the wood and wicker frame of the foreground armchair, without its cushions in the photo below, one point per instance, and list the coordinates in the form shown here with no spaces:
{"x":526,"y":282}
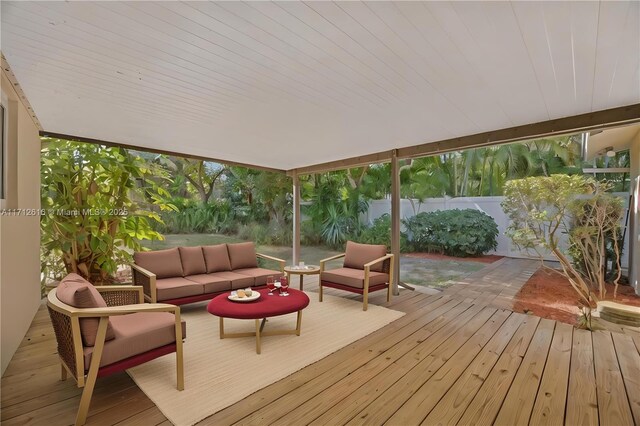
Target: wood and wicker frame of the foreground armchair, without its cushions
{"x":120,"y":300}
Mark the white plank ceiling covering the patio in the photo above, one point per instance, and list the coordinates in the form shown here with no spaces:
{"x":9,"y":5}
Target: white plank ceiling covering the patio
{"x":292,"y":84}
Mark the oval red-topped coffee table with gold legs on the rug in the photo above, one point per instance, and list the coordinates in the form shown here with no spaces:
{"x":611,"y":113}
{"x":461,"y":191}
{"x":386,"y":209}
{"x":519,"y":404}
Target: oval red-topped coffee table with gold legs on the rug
{"x":259,"y":310}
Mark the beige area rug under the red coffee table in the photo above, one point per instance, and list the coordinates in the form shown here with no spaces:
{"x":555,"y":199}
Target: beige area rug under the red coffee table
{"x":219,"y":373}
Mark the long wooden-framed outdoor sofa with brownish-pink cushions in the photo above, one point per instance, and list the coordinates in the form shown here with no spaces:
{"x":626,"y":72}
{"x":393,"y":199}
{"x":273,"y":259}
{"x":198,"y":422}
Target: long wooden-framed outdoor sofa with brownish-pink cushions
{"x":191,"y":274}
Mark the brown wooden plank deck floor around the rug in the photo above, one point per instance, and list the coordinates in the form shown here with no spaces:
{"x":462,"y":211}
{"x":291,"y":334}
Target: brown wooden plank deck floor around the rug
{"x":457,"y":357}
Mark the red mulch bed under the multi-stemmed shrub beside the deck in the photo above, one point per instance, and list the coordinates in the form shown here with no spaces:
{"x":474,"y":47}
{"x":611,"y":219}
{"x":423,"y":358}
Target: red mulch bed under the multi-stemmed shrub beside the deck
{"x":548,"y":294}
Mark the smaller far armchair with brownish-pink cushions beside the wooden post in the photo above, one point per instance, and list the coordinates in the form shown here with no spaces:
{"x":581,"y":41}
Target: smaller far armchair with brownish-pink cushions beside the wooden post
{"x":366,"y":268}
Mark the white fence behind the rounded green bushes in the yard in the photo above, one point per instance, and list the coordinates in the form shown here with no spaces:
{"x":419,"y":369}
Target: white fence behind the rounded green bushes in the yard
{"x":489,"y":205}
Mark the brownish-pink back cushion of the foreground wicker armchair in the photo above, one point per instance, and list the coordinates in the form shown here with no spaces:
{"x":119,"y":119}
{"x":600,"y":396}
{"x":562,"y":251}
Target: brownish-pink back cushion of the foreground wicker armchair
{"x":77,"y":292}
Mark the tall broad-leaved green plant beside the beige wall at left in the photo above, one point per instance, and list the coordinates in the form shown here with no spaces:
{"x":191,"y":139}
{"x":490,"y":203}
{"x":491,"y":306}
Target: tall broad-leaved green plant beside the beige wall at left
{"x":94,"y":205}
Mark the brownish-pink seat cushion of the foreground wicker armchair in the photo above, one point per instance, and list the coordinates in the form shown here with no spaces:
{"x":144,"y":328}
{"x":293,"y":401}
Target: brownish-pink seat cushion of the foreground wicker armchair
{"x":135,"y":334}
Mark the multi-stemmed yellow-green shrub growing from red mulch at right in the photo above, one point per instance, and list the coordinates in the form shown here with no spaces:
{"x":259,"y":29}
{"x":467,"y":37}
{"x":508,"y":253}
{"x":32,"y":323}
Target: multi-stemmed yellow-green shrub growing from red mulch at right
{"x":543,"y":208}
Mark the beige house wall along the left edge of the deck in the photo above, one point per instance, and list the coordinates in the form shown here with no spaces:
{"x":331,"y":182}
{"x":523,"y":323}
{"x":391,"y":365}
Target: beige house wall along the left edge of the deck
{"x":20,"y":234}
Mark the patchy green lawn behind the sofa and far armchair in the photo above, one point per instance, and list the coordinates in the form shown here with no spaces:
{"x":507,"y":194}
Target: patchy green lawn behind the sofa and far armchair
{"x":415,"y":271}
